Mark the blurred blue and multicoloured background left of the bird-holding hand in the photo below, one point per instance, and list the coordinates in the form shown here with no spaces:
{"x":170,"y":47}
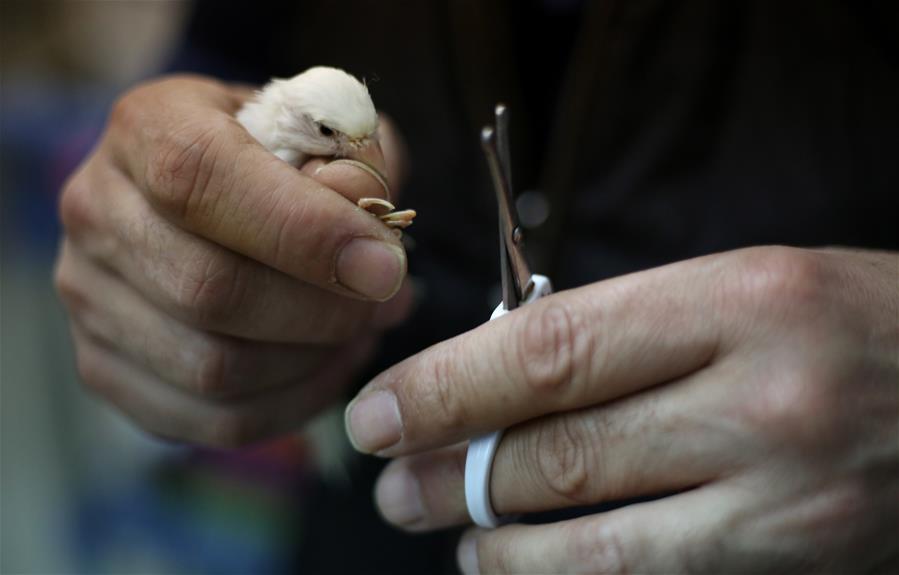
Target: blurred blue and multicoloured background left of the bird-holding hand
{"x":82,"y":490}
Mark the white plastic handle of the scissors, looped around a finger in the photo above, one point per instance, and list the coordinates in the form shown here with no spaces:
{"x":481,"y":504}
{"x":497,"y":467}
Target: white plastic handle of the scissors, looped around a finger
{"x":482,"y":449}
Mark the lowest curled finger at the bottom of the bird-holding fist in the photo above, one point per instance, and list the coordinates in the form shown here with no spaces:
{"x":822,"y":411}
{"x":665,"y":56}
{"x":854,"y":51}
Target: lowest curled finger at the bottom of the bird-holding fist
{"x":169,"y":412}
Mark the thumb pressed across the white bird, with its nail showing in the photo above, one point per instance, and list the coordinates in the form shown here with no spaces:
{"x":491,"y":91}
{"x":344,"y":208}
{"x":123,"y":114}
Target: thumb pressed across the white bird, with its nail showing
{"x":180,"y":142}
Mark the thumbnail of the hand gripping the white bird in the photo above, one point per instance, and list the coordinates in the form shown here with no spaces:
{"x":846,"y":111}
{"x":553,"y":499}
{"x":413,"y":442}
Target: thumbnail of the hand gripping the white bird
{"x":371,"y":267}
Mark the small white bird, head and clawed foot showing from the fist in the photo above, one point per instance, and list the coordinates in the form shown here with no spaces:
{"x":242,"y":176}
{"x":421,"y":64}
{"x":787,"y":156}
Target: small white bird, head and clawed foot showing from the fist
{"x":322,"y":112}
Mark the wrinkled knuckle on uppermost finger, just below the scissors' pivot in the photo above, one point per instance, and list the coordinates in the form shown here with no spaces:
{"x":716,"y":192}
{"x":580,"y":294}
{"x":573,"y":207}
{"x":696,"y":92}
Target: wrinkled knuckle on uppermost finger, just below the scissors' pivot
{"x":551,"y":348}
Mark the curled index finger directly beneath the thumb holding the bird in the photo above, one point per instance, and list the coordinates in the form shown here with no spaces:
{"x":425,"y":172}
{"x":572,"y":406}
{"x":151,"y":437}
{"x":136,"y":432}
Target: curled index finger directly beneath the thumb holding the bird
{"x":196,"y":281}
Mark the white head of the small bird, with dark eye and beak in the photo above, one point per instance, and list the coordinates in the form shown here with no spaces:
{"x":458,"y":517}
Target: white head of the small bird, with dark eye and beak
{"x":325,"y":112}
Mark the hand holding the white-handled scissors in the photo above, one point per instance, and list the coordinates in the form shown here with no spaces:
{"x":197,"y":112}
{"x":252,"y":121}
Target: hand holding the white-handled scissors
{"x":756,"y":391}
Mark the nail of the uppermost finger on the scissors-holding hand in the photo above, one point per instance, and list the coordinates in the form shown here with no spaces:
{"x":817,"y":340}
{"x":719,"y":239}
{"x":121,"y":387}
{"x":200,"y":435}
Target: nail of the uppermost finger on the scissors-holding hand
{"x":373,"y":422}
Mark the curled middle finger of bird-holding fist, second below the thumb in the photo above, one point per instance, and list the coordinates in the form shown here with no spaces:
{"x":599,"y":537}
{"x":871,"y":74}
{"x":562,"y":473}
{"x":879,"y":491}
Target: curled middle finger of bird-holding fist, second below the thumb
{"x":198,"y":361}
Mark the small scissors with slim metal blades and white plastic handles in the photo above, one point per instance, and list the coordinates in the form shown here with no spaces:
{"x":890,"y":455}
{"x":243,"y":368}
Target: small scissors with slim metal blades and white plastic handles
{"x":520,"y":287}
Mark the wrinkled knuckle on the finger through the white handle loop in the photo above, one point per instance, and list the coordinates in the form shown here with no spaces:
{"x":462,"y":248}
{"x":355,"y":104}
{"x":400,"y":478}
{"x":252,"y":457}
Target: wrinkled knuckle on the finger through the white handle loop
{"x":563,"y":459}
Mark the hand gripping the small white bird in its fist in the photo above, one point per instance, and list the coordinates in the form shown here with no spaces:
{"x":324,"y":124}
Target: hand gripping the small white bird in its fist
{"x":217,"y":294}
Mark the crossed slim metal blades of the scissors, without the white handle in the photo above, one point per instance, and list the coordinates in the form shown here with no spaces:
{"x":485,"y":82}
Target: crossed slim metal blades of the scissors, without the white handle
{"x":516,"y":275}
